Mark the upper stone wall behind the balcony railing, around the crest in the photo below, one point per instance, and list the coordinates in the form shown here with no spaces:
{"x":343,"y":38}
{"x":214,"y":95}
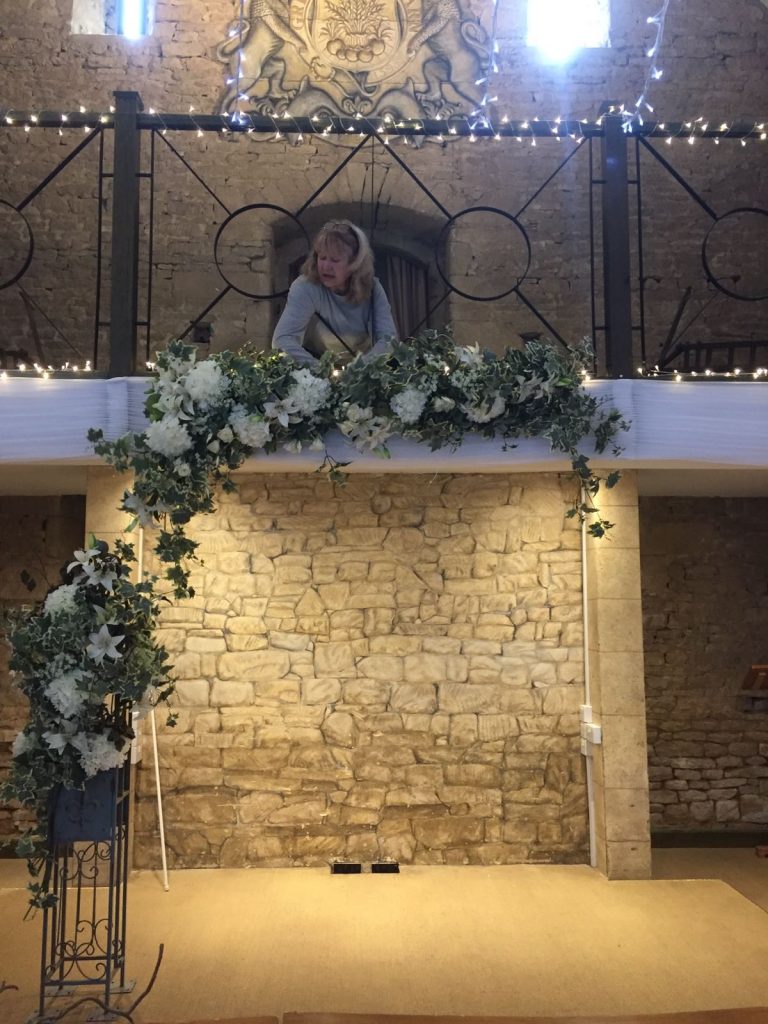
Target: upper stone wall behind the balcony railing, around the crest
{"x":714,"y":58}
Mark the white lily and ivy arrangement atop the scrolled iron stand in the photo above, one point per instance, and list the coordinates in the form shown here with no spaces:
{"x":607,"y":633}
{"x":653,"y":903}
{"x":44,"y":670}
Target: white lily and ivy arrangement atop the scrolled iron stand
{"x":83,"y":660}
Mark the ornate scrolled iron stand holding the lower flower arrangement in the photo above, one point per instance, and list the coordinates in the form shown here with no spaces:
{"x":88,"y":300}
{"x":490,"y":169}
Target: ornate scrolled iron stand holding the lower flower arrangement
{"x":83,"y":948}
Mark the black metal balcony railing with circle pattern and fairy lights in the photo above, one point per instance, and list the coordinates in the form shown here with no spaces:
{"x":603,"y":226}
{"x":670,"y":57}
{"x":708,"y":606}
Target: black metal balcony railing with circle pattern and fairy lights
{"x":615,"y":148}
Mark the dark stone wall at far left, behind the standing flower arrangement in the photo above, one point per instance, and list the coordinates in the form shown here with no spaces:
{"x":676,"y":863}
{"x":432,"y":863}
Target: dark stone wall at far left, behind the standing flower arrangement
{"x":36,"y":535}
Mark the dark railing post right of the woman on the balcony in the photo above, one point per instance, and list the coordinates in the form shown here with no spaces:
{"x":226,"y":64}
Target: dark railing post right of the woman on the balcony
{"x":617,"y":269}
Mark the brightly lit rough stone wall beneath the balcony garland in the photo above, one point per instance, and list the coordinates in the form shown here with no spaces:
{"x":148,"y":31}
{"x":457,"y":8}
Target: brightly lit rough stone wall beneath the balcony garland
{"x":390,"y":671}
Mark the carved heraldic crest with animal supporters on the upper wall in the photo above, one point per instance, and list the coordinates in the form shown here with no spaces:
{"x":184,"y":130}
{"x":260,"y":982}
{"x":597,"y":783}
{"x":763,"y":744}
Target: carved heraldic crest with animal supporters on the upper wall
{"x":404,"y":58}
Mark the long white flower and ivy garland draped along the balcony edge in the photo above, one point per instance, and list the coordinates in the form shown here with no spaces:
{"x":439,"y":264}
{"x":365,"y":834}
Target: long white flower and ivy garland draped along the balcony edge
{"x":207,"y":418}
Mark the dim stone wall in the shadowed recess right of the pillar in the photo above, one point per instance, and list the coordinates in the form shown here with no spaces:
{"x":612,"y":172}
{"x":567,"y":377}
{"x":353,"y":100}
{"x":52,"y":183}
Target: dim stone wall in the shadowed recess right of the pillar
{"x":705,"y":573}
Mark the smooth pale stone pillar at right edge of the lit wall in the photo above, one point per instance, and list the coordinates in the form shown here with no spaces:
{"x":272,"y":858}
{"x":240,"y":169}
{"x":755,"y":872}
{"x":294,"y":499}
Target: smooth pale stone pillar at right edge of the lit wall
{"x":618,"y":693}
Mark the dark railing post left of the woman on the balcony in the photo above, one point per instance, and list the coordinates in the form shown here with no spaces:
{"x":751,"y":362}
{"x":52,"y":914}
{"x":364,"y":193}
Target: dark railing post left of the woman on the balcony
{"x":125,"y":209}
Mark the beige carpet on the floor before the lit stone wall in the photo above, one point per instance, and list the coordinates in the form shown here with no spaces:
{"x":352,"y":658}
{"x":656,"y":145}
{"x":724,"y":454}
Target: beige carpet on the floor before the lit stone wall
{"x":493,"y":942}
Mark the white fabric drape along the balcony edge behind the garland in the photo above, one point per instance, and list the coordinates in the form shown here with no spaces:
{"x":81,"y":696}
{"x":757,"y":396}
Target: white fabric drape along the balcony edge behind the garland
{"x":708,"y":424}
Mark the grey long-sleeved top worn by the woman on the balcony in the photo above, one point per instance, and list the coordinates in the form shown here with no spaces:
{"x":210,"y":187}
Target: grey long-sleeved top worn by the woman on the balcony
{"x":302,"y":334}
